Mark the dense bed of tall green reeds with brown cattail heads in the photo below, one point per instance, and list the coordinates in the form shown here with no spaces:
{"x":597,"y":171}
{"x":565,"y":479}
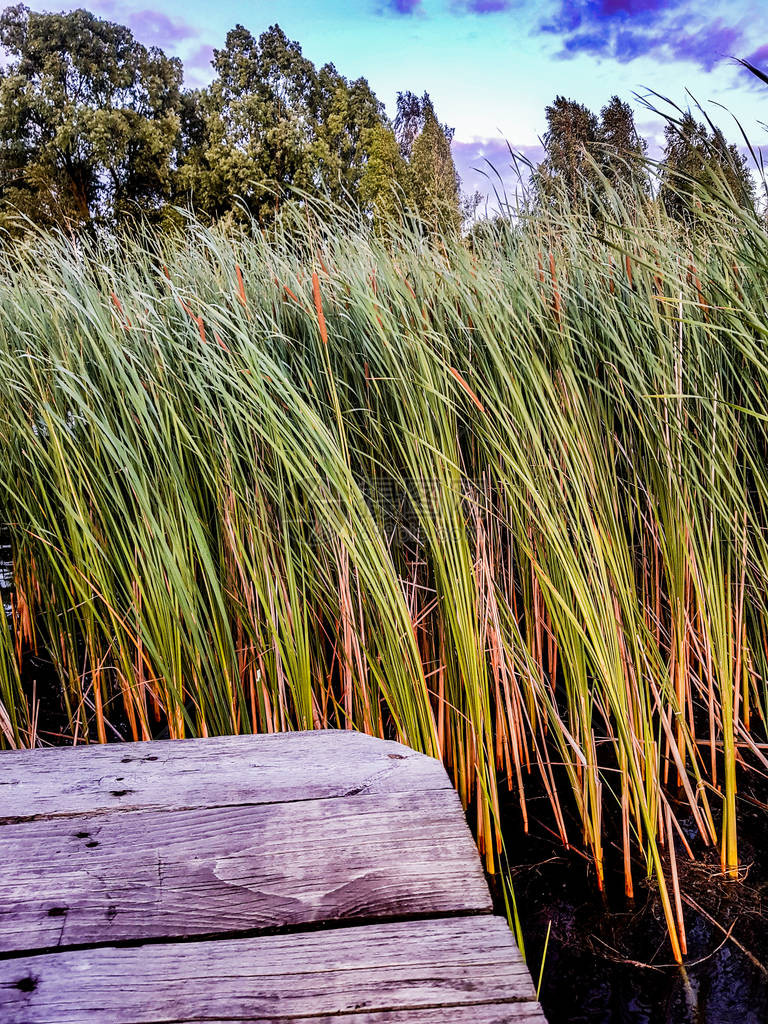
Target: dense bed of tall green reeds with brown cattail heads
{"x":505,"y":502}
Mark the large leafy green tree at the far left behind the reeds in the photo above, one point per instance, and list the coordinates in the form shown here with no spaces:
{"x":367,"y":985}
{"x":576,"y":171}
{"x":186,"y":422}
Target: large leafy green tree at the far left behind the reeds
{"x":90,"y":120}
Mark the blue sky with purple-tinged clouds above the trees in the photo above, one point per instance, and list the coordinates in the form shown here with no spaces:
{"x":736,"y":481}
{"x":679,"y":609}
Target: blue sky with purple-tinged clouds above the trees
{"x":493,"y":66}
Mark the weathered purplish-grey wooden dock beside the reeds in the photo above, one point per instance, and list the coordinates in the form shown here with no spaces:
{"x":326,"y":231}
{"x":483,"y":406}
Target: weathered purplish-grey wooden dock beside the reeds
{"x":304,"y":878}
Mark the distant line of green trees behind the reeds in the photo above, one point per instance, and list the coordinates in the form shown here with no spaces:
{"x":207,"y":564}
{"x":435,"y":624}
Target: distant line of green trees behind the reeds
{"x":97,"y":129}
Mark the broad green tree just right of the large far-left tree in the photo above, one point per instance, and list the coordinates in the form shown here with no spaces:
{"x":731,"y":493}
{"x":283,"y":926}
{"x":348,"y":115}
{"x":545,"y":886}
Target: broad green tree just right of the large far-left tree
{"x":272,"y":121}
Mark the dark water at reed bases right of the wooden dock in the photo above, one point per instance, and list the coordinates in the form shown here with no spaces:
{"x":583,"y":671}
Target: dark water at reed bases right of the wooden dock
{"x":609,"y":961}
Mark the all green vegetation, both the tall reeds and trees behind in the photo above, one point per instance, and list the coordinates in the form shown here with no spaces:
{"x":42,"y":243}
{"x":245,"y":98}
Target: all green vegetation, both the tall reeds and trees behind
{"x":291,"y":440}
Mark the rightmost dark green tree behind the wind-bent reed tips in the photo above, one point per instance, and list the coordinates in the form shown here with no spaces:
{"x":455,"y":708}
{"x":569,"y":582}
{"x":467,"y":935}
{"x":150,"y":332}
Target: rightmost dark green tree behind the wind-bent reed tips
{"x":696,"y":162}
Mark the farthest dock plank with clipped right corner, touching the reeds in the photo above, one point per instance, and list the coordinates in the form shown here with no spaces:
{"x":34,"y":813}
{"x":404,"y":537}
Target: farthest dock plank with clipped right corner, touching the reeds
{"x":208,"y":773}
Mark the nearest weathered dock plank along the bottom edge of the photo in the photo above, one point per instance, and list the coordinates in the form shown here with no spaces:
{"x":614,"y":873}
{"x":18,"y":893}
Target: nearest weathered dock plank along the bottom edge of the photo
{"x":380,"y":970}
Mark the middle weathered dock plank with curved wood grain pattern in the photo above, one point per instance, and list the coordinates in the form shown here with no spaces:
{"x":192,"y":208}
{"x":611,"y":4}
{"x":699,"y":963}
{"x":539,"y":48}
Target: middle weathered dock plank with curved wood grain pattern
{"x":115,"y":877}
